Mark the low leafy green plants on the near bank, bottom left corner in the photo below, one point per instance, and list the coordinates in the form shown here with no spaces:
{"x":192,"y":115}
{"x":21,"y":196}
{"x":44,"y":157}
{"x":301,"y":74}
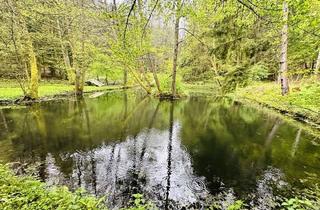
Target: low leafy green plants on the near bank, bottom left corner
{"x":27,"y":193}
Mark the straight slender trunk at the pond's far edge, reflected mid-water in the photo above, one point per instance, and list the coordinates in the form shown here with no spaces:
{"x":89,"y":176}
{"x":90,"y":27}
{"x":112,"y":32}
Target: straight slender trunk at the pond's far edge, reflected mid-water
{"x":176,"y":48}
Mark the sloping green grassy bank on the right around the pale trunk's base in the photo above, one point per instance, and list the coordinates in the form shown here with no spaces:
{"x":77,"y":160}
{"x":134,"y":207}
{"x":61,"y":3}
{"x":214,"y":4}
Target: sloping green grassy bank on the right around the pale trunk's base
{"x":302,"y":103}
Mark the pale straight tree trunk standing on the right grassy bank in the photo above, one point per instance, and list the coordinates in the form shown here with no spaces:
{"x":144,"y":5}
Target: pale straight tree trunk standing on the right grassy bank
{"x":284,"y":52}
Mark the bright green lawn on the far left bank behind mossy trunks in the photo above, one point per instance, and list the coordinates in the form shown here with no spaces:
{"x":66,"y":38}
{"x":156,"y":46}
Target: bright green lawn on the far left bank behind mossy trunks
{"x":10,"y":89}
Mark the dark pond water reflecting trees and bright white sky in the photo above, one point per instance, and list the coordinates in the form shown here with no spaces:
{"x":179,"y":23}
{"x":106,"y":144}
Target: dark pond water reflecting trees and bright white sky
{"x":177,"y":154}
